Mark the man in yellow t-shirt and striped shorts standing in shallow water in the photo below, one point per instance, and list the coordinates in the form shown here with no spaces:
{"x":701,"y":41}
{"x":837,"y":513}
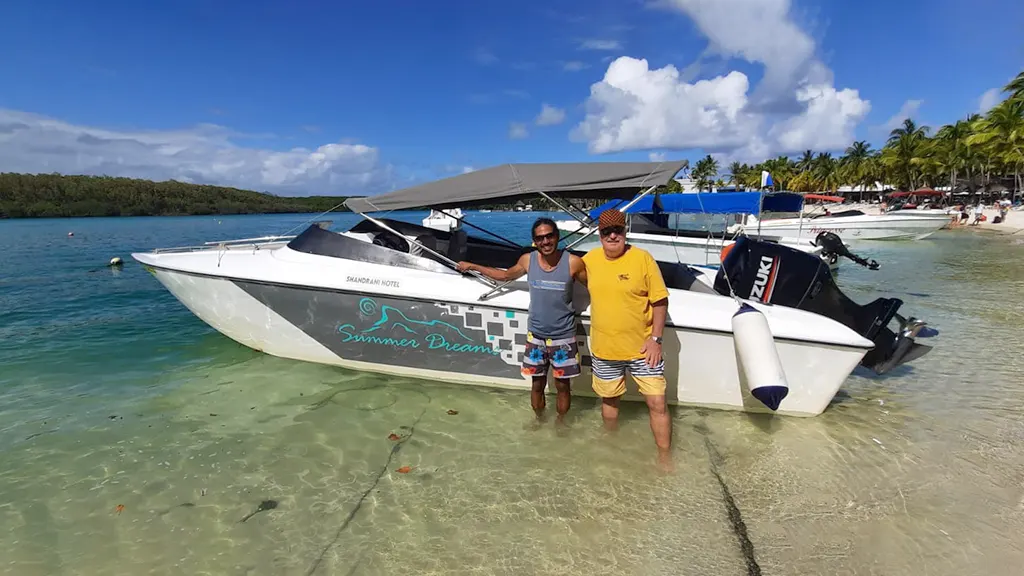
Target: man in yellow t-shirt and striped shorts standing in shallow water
{"x":628,"y":310}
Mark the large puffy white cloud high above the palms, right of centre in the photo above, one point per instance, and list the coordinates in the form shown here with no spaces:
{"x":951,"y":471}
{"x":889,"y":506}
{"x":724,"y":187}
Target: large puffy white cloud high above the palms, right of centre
{"x":795,"y":106}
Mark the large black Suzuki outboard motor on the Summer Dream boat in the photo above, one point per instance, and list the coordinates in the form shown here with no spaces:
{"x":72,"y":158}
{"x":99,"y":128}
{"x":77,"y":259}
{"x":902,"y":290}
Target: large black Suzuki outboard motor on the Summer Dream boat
{"x":776,"y":274}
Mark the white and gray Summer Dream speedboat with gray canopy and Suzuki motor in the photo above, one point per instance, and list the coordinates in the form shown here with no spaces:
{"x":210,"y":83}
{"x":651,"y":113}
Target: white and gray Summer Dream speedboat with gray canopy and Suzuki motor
{"x":383,"y":297}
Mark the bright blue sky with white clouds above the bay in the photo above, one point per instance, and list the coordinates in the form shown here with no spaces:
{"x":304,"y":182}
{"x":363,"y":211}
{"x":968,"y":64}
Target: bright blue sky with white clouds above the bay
{"x":354,"y":98}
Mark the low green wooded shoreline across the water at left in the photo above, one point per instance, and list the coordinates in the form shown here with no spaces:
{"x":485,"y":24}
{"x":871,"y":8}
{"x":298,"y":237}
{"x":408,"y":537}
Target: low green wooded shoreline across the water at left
{"x":63,"y":196}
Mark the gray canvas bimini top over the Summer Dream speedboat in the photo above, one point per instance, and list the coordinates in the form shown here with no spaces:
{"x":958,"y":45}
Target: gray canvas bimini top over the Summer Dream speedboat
{"x":509,"y":182}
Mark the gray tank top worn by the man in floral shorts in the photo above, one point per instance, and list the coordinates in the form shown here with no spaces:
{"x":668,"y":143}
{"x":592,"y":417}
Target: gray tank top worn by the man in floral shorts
{"x":551,"y":314}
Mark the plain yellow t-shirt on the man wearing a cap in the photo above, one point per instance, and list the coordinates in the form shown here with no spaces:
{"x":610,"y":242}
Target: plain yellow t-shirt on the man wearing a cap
{"x":621,"y":294}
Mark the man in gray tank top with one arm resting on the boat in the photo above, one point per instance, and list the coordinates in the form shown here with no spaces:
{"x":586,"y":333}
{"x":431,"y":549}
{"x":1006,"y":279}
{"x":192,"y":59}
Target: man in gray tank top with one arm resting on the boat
{"x":551,"y":338}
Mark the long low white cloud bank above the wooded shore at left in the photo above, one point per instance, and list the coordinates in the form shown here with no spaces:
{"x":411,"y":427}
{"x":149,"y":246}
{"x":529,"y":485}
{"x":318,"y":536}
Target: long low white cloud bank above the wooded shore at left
{"x":205,"y":154}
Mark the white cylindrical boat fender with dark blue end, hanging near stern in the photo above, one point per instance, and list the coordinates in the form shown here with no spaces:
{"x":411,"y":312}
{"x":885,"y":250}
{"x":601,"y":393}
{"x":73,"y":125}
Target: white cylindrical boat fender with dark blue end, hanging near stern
{"x":758,"y":357}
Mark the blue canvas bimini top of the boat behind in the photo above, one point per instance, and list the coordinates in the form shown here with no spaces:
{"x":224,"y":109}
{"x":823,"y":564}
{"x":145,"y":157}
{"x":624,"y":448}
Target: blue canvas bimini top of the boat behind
{"x":710,"y":203}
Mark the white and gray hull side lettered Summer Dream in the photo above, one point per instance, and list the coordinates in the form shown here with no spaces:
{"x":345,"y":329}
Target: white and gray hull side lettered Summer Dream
{"x":478,"y":345}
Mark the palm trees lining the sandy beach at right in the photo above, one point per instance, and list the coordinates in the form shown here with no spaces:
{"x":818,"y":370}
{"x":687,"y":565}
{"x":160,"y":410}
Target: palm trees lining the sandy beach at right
{"x":973,"y":153}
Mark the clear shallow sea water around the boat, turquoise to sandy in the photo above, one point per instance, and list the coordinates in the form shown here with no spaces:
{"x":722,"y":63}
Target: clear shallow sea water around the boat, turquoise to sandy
{"x":113,"y":394}
